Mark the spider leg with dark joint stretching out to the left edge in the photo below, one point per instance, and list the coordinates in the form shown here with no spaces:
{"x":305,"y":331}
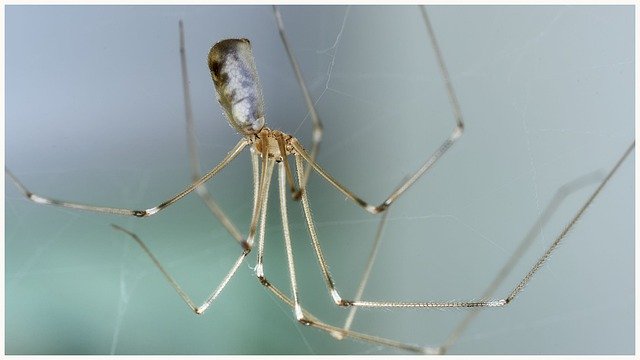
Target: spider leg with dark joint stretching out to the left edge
{"x":129,"y":212}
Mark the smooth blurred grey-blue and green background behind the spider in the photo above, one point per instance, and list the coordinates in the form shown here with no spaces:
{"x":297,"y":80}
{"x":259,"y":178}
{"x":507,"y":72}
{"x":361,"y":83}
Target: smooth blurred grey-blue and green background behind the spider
{"x":94,"y":113}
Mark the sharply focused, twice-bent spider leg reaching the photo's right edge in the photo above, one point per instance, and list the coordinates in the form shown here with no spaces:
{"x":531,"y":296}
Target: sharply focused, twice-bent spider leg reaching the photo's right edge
{"x":450,"y":304}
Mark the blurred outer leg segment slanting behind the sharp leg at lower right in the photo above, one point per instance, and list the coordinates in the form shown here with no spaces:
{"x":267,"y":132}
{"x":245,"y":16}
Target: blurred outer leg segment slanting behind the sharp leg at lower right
{"x":562,"y":193}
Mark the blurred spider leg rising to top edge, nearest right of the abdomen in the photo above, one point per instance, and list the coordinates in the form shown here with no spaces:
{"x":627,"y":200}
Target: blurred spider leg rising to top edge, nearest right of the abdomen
{"x":315,"y":119}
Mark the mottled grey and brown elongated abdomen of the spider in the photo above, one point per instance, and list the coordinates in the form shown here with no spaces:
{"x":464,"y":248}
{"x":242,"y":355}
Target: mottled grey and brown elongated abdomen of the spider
{"x":237,"y":85}
